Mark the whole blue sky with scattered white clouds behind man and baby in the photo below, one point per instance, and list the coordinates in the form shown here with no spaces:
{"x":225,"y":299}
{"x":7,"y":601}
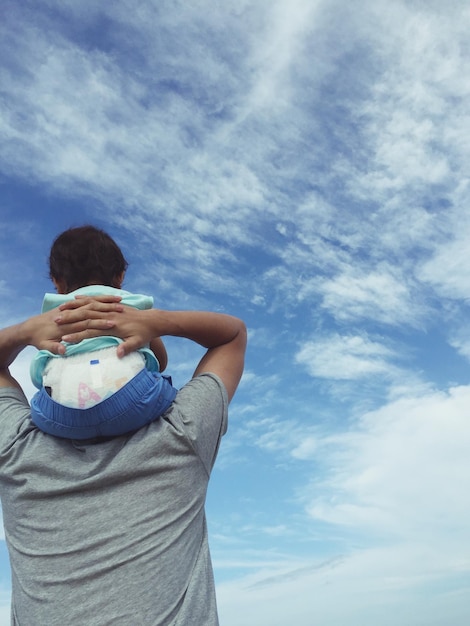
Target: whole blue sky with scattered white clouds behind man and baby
{"x":303,"y":164}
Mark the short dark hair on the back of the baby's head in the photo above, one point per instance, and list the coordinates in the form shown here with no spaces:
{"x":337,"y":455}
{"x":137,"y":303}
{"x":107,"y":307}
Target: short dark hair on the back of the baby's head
{"x":86,"y":255}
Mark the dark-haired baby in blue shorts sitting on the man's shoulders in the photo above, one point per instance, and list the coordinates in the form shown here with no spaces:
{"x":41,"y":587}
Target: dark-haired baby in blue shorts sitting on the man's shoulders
{"x":89,"y":392}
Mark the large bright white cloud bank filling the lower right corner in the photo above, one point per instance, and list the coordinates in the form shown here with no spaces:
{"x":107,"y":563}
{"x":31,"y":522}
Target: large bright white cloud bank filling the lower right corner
{"x":394,"y":488}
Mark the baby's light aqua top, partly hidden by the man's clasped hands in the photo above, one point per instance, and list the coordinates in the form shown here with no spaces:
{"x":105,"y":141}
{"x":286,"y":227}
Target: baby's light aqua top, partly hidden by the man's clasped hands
{"x":53,"y":300}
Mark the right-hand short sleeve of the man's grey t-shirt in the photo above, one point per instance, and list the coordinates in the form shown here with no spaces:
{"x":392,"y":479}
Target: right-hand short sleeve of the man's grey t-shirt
{"x":200,"y":409}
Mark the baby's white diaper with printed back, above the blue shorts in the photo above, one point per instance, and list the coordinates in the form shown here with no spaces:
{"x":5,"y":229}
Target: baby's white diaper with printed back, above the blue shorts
{"x":82,"y":380}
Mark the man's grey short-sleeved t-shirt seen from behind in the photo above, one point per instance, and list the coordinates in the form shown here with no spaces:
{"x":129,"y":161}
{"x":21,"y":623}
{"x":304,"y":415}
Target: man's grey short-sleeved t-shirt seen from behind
{"x":112,"y":533}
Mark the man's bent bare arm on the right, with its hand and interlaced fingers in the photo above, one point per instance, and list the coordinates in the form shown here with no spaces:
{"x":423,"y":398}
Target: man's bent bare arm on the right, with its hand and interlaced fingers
{"x":224,"y":336}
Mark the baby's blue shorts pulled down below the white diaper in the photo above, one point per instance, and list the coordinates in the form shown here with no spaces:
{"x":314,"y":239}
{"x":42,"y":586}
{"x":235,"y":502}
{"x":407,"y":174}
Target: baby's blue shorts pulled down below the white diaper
{"x":140,"y":401}
